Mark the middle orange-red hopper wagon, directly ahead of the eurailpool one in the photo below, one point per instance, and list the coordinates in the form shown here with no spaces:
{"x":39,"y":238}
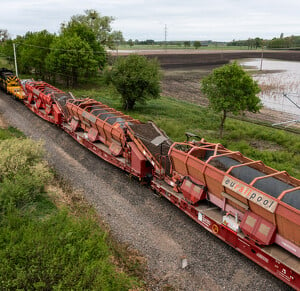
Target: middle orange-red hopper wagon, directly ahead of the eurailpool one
{"x":109,"y":134}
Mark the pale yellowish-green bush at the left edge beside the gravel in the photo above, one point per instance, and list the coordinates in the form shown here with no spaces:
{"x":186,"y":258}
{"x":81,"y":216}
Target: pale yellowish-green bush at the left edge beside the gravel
{"x":22,"y":173}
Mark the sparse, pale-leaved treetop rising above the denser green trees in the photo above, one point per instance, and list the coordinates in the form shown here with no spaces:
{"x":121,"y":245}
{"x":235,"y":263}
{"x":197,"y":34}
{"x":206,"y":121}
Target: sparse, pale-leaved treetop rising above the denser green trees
{"x":101,"y":26}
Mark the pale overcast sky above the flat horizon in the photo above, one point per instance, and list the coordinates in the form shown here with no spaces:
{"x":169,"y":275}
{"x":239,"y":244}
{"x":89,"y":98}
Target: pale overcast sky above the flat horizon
{"x":221,"y":20}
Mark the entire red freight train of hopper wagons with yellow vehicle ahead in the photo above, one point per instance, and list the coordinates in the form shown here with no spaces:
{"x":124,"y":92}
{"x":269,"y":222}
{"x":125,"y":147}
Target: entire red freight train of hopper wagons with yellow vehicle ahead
{"x":250,"y":206}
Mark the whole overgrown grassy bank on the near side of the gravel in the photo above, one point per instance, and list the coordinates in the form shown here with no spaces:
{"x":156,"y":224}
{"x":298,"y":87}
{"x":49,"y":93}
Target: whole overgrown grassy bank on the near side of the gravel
{"x":46,"y":244}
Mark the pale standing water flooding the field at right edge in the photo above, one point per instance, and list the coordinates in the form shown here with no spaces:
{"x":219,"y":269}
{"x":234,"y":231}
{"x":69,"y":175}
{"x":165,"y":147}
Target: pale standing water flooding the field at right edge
{"x":276,"y":79}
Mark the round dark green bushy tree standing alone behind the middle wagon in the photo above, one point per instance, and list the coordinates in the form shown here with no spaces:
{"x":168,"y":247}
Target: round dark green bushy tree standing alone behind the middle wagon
{"x":137,"y":79}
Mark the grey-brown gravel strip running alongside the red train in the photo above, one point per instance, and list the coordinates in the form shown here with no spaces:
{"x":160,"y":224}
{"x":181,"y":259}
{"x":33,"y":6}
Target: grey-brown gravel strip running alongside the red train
{"x":152,"y":225}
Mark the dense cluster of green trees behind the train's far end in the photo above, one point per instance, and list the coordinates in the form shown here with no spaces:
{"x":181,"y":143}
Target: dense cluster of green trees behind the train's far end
{"x":78,"y":50}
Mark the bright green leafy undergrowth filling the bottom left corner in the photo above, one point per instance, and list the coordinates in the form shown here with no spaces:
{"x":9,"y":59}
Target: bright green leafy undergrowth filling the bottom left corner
{"x":57,"y":253}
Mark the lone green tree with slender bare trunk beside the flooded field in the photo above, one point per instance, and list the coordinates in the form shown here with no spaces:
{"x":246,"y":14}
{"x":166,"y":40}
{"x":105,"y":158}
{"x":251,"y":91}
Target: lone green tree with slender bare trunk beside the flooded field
{"x":230,"y":89}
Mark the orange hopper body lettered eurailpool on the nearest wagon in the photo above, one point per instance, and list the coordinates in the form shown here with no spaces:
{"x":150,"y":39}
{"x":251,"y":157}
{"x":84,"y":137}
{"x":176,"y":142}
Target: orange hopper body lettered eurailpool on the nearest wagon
{"x":266,"y":201}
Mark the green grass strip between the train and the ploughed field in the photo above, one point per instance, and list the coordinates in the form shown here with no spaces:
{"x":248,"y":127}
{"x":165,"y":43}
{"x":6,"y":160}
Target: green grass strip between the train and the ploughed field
{"x":276,"y":148}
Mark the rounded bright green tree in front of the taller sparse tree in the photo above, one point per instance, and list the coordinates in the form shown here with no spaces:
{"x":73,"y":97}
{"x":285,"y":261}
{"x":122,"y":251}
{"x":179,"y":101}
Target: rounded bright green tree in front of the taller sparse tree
{"x":70,"y":58}
